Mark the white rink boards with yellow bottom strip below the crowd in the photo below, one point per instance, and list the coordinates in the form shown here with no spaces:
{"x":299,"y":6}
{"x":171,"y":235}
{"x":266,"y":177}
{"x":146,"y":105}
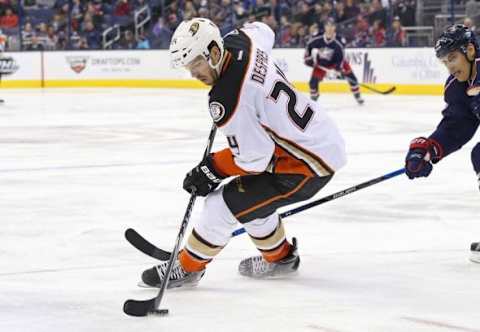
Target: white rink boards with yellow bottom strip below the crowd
{"x":411,"y":70}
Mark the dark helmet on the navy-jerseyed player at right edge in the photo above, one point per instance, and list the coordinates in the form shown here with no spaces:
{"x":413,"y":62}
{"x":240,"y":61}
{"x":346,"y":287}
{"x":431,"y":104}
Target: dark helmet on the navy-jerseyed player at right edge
{"x":455,"y":38}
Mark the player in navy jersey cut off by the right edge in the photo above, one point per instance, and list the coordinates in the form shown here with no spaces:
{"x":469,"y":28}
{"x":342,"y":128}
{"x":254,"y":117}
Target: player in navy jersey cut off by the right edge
{"x":458,"y":50}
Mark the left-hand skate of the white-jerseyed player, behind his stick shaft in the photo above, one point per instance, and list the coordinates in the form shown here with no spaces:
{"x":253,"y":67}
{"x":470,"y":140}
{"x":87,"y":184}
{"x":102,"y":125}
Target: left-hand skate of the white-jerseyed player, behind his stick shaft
{"x":178,"y":276}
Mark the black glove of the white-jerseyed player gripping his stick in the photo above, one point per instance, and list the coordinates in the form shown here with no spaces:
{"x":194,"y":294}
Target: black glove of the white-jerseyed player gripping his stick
{"x":203,"y":179}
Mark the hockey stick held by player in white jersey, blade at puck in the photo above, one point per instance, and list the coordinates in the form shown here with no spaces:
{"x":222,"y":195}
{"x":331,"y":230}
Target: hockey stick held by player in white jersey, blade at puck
{"x":151,"y":306}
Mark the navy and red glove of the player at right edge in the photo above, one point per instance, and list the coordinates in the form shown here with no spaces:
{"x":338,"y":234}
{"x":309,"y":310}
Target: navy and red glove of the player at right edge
{"x":421,"y":154}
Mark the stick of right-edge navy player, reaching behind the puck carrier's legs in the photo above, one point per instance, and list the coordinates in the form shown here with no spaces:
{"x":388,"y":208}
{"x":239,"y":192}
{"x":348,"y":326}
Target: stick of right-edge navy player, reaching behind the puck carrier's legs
{"x":149,"y":249}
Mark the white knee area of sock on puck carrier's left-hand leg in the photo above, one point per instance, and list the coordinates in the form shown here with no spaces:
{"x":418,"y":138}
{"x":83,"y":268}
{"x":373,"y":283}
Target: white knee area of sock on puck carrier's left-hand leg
{"x":216,"y":222}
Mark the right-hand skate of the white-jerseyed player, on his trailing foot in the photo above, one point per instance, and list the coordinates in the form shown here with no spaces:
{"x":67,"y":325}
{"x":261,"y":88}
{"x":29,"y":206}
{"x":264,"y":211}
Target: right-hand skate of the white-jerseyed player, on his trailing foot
{"x":258,"y":267}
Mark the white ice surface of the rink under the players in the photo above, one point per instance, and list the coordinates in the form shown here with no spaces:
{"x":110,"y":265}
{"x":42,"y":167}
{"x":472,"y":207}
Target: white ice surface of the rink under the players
{"x":78,"y":167}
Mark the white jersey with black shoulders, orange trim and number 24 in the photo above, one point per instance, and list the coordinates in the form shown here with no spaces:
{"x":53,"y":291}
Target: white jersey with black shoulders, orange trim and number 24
{"x":269,"y":126}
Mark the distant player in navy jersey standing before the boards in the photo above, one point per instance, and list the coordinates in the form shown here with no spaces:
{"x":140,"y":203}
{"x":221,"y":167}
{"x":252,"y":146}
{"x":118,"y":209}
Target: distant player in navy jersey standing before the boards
{"x":326,"y":53}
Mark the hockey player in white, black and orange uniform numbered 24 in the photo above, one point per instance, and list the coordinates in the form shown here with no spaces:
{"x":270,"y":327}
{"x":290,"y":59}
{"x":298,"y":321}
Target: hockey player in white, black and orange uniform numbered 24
{"x":283,"y":149}
